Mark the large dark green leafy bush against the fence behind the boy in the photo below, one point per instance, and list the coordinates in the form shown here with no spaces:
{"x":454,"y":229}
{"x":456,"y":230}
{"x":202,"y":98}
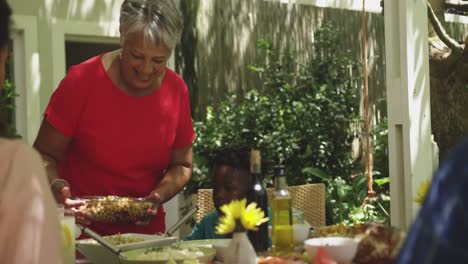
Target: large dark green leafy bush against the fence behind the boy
{"x":302,"y":119}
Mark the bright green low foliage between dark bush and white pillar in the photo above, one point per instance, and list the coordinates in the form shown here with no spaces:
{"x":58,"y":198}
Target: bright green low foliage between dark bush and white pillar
{"x":345,"y":196}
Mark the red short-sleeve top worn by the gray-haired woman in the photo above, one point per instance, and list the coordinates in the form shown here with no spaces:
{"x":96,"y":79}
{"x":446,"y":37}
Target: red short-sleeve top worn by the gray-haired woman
{"x":121,"y":145}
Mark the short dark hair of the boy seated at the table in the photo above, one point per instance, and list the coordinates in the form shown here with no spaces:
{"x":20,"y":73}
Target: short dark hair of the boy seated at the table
{"x":233,"y":156}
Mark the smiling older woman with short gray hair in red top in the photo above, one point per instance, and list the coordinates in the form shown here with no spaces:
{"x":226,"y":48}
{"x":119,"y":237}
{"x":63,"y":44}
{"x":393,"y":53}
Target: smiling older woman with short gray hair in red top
{"x":120,"y":123}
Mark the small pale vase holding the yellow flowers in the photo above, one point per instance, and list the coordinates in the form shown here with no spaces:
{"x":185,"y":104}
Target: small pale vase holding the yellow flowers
{"x":240,"y":250}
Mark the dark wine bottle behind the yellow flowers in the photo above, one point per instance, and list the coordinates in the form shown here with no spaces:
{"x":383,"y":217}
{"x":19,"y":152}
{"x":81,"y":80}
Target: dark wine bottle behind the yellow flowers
{"x":257,"y":193}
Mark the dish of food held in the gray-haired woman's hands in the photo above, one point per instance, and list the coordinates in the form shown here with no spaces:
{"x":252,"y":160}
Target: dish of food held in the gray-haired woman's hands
{"x":115,"y":209}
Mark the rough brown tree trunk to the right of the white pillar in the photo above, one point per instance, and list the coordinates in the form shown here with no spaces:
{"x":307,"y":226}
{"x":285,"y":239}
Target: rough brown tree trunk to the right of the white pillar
{"x":449,"y":90}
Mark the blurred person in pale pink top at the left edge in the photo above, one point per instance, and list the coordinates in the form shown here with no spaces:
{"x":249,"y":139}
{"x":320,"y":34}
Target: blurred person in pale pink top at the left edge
{"x":29,"y":226}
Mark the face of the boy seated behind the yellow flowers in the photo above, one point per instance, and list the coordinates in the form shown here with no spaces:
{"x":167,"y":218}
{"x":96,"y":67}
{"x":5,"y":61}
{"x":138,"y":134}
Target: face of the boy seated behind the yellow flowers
{"x":229,"y":184}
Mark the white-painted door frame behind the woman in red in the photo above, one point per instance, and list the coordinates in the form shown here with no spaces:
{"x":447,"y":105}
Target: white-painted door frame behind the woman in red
{"x":47,"y":24}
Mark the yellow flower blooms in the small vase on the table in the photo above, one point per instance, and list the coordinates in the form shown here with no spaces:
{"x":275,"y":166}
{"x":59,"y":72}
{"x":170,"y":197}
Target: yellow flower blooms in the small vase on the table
{"x":238,"y":217}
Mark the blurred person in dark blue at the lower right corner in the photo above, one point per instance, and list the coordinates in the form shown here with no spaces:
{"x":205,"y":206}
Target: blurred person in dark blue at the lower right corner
{"x":439,"y":233}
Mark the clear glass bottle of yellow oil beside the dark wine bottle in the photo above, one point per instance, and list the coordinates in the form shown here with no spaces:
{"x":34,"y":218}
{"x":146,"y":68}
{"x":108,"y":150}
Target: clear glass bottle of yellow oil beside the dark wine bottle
{"x":281,"y":207}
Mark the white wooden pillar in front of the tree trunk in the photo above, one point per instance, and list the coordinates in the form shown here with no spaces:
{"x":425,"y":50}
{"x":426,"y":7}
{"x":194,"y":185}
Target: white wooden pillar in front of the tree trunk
{"x":408,"y":100}
